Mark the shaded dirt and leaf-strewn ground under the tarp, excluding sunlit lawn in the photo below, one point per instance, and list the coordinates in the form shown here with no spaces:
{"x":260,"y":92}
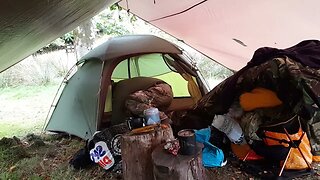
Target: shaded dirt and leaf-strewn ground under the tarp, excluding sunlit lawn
{"x":48,"y":156}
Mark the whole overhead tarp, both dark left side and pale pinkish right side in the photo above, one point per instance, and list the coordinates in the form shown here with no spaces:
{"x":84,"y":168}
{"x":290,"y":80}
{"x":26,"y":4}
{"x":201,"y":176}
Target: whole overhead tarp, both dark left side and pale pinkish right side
{"x":228,"y":31}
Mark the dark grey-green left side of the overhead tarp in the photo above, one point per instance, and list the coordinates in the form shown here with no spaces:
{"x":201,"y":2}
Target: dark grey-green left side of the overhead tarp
{"x":27,"y":26}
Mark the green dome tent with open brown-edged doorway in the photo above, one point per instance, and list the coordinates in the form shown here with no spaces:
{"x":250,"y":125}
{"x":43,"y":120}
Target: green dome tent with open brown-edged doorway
{"x":87,"y":95}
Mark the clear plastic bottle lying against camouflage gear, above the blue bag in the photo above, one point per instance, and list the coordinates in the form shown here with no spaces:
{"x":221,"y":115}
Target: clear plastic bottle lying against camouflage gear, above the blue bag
{"x":230,"y":127}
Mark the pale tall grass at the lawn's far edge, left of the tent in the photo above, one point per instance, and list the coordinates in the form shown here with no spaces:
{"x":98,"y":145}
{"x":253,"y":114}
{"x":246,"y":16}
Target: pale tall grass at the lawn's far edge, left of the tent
{"x":40,"y":69}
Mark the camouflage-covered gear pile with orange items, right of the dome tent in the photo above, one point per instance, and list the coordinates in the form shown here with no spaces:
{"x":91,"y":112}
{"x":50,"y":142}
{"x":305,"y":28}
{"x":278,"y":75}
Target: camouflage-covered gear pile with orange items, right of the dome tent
{"x":275,"y":100}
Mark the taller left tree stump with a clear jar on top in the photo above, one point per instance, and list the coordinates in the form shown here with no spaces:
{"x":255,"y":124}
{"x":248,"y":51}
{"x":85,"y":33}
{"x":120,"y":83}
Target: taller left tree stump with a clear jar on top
{"x":136,"y":151}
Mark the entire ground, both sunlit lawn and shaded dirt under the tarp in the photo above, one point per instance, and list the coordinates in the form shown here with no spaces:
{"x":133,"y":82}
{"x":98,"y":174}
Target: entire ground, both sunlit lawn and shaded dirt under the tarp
{"x":47,"y":156}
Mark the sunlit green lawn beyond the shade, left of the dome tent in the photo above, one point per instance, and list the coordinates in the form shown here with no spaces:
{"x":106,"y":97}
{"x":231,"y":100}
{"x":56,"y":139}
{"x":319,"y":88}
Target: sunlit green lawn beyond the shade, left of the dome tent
{"x":24,"y":109}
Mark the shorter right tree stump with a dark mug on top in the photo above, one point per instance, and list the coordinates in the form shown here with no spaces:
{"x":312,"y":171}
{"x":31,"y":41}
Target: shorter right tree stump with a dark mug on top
{"x":181,"y":167}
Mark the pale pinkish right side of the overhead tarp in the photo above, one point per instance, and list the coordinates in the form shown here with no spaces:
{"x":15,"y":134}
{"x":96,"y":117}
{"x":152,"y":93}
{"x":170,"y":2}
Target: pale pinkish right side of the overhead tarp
{"x":229,"y":31}
